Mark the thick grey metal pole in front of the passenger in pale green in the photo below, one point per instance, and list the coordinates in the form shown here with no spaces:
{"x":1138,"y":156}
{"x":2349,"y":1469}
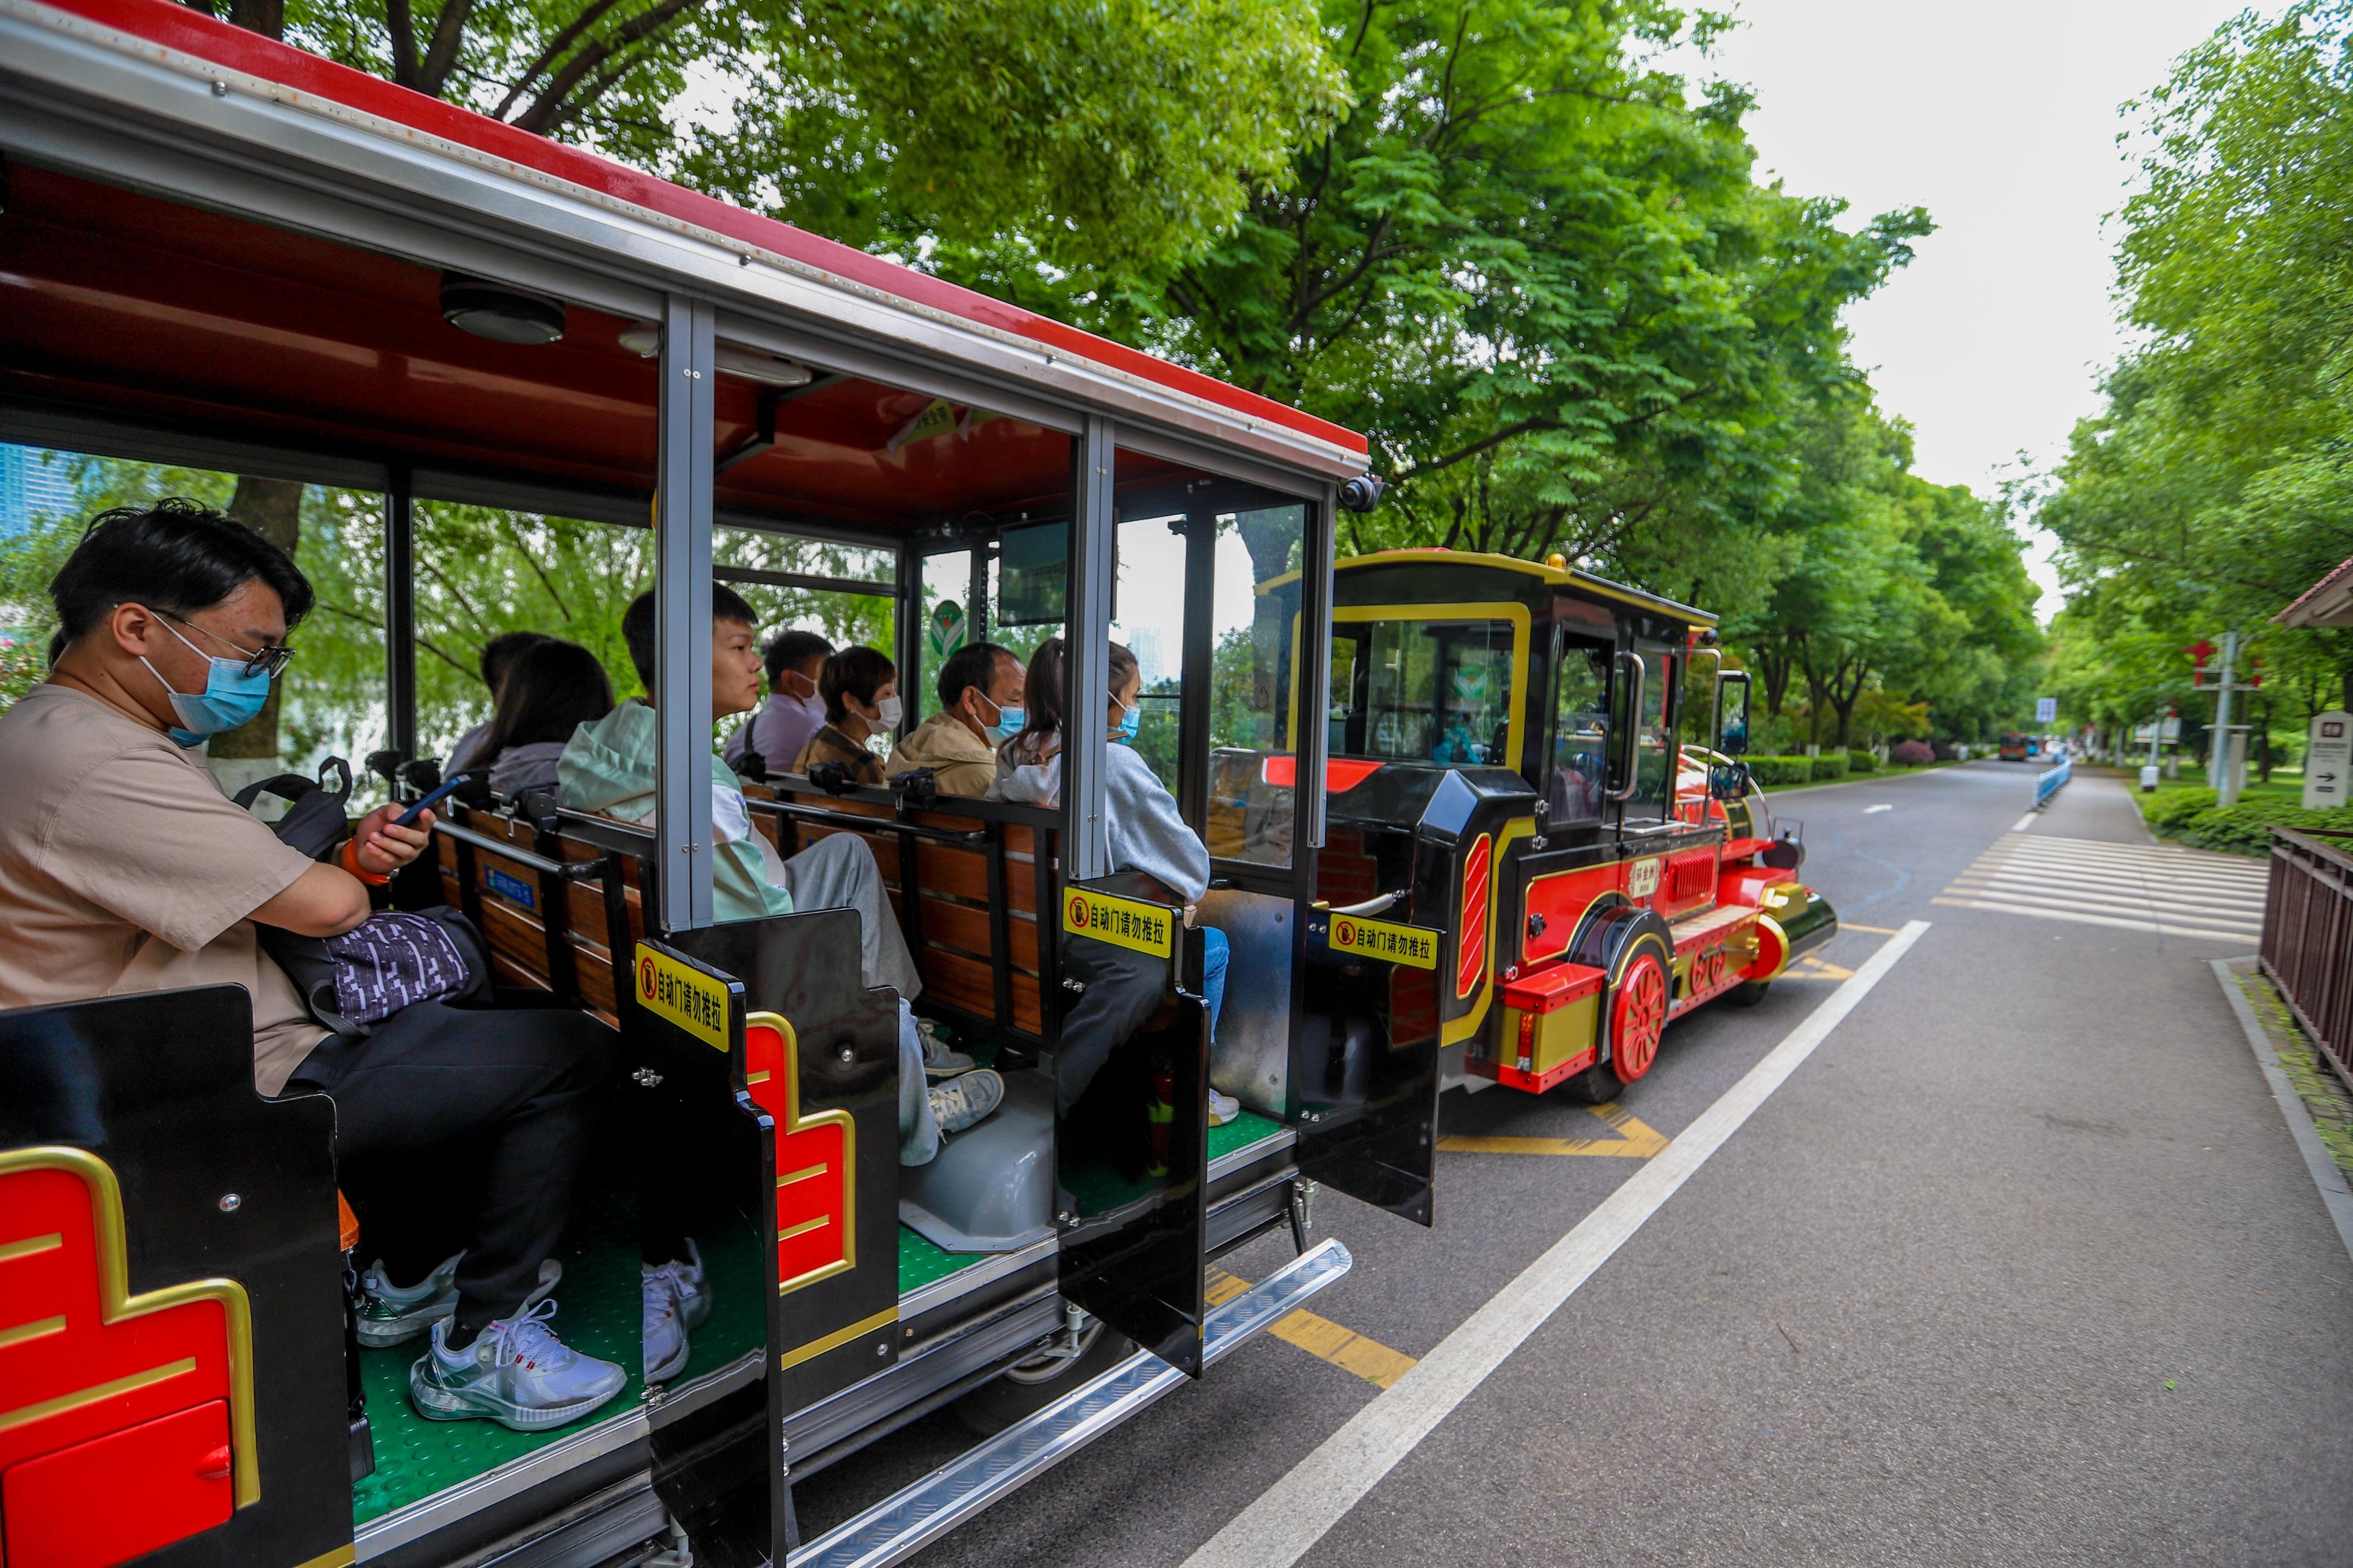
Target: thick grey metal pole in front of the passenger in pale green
{"x":684,"y":624}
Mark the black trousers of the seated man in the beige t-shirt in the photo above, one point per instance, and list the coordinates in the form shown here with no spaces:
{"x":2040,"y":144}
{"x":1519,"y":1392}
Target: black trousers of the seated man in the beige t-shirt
{"x":465,"y":1130}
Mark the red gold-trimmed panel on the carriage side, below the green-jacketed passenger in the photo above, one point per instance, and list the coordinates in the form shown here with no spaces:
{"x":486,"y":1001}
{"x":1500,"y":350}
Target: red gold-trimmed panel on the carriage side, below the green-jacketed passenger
{"x":815,"y":1162}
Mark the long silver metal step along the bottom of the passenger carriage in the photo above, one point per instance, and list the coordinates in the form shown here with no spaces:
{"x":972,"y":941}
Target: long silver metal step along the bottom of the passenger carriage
{"x":912,"y":1520}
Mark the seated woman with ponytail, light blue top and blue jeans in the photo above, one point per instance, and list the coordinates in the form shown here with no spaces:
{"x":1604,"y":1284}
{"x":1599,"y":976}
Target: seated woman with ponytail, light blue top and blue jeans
{"x":1147,"y":836}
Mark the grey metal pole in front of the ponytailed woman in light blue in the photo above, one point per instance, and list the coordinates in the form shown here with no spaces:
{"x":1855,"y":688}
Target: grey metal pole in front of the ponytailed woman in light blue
{"x":1086,"y":843}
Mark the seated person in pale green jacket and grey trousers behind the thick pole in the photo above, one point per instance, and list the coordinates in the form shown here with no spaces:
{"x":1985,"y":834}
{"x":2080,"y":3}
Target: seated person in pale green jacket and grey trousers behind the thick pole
{"x":611,"y":768}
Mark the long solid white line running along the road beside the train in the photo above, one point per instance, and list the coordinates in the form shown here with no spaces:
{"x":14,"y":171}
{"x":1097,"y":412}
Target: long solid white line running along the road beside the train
{"x":1302,"y":1508}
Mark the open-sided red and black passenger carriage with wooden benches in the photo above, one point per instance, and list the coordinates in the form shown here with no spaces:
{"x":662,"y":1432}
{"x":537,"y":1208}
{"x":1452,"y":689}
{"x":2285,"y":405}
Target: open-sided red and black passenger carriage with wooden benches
{"x":220,"y":253}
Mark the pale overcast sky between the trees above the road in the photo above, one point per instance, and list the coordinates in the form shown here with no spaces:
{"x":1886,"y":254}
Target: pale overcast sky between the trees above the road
{"x":1999,"y":119}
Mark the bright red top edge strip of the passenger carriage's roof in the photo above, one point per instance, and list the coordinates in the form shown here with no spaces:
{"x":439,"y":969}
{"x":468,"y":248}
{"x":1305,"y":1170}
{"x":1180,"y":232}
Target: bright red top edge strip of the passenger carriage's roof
{"x":175,"y":27}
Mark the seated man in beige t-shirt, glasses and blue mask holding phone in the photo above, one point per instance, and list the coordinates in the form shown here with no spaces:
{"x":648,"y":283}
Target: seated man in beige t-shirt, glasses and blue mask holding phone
{"x":124,"y":869}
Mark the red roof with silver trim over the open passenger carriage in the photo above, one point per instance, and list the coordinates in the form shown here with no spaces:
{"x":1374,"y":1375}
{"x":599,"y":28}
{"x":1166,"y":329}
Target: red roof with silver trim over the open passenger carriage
{"x":279,"y":225}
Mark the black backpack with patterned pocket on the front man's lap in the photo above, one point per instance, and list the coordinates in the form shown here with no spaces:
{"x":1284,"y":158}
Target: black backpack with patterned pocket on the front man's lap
{"x":392,"y":960}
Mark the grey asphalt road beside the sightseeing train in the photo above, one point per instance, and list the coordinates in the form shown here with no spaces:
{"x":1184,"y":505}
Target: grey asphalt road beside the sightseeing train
{"x":2018,"y":1268}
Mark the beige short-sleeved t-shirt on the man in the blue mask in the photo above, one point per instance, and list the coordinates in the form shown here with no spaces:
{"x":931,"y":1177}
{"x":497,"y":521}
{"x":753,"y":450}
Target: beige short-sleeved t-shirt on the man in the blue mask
{"x":126,"y":869}
